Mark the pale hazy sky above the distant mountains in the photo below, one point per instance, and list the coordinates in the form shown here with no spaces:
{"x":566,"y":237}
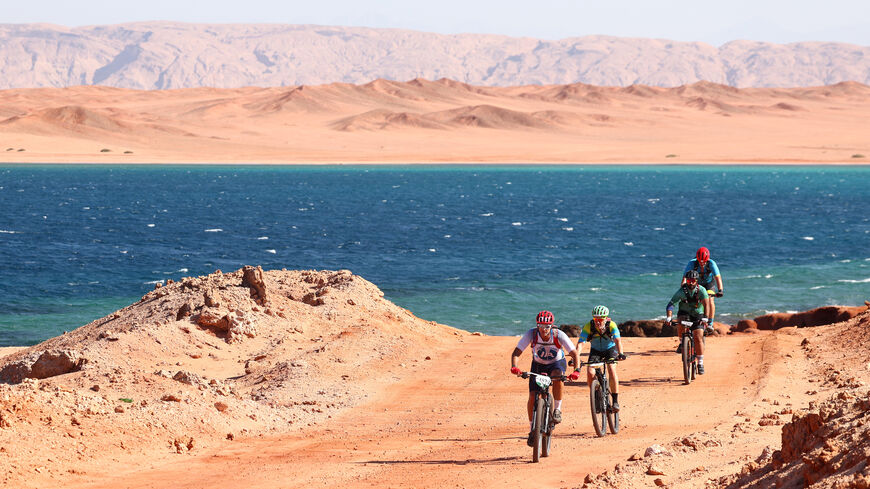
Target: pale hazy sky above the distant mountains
{"x":778,"y":21}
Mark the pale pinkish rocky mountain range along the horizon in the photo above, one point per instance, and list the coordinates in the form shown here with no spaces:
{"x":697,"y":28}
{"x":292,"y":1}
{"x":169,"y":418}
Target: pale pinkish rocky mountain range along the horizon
{"x":170,"y":55}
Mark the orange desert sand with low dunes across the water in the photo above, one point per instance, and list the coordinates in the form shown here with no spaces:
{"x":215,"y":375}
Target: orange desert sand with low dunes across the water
{"x":438,"y":122}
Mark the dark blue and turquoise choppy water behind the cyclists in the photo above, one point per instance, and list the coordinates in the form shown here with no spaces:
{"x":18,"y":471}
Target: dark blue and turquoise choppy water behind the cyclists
{"x":480,"y":248}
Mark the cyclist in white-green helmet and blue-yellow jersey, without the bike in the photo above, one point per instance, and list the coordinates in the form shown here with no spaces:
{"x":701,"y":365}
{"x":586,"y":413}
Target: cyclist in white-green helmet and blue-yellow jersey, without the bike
{"x":604,"y":344}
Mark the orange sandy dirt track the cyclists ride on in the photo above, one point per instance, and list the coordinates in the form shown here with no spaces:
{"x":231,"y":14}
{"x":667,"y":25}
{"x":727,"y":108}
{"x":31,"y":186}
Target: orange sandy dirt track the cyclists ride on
{"x":459,"y":421}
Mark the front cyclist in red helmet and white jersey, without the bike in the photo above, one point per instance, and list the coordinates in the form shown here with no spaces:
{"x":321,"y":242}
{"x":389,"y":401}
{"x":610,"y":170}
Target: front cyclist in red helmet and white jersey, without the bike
{"x":547,"y":358}
